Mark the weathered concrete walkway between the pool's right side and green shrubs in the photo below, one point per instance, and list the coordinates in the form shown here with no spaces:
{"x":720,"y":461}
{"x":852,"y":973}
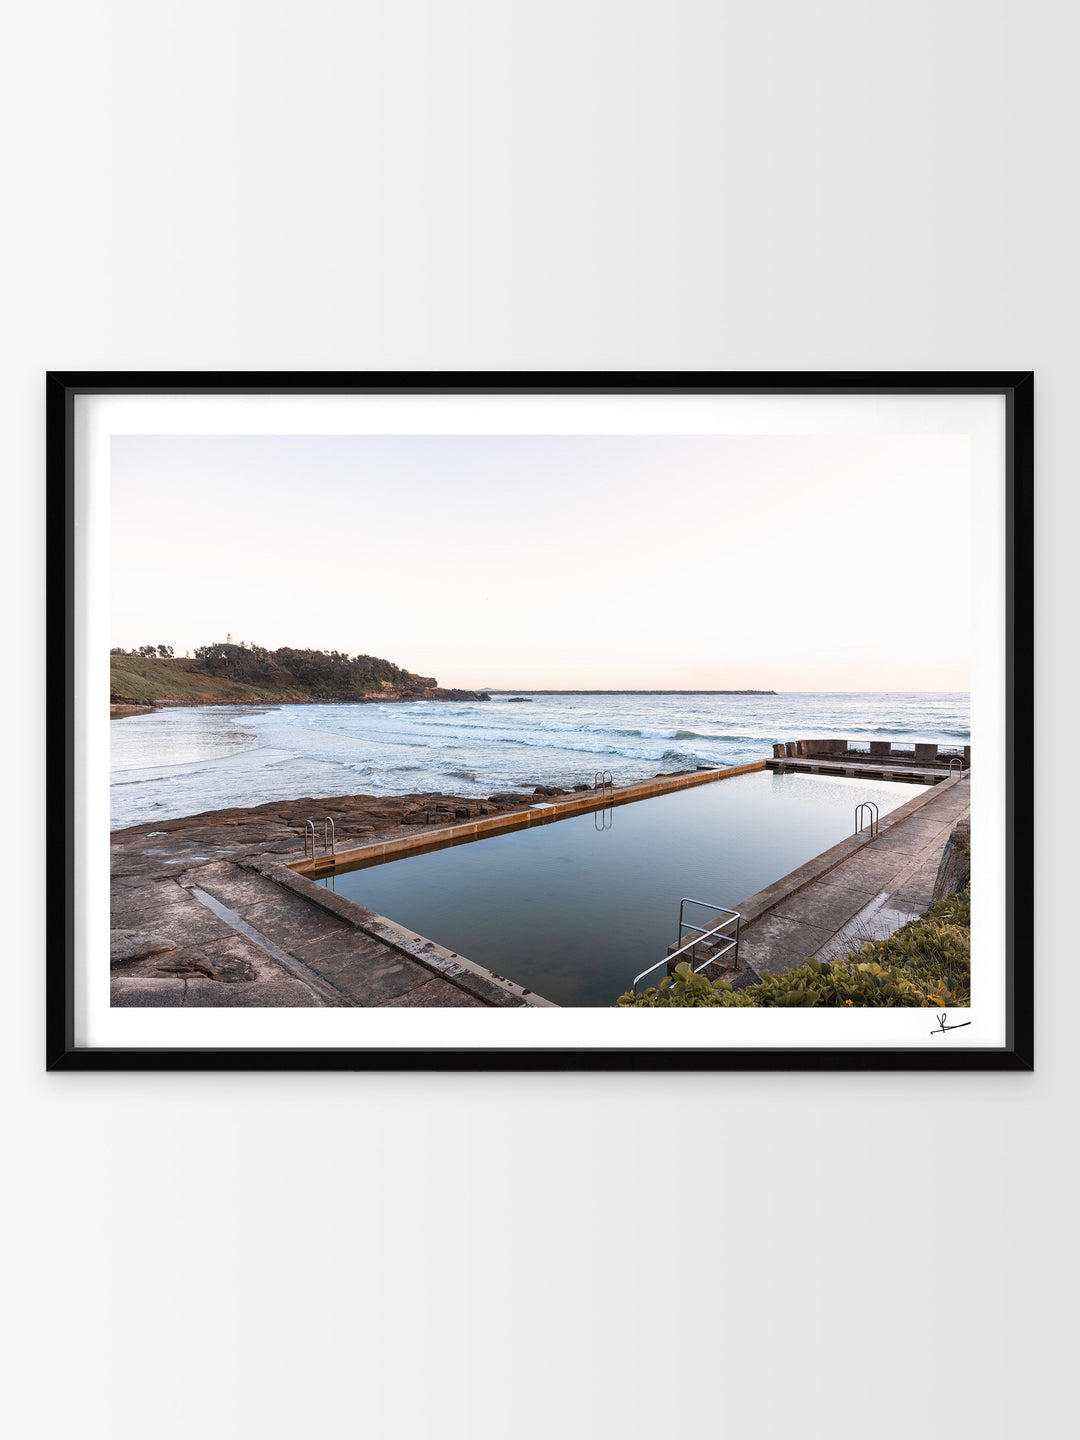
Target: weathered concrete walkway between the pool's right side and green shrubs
{"x":858,"y":891}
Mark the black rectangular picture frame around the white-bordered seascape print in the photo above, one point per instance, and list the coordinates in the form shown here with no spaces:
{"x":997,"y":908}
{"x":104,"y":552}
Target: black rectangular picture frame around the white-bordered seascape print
{"x":1017,"y":390}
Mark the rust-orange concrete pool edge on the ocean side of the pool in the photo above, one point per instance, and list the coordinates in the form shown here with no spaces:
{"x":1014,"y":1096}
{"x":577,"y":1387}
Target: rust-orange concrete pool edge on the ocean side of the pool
{"x":546,"y":814}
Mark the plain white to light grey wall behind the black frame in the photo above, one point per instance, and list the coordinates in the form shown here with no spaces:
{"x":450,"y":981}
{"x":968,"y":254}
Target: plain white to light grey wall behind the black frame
{"x":588,"y":185}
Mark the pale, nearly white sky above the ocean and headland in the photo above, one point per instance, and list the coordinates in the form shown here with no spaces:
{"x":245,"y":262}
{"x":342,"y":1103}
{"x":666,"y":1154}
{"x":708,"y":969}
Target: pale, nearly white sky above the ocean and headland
{"x":558,"y":562}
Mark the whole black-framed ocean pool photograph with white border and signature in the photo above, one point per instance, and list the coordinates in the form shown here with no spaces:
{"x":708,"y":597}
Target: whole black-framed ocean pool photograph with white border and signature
{"x":565,"y":722}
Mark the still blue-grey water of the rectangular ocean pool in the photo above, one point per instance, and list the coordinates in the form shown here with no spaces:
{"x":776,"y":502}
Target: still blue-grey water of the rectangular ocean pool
{"x":578,"y":908}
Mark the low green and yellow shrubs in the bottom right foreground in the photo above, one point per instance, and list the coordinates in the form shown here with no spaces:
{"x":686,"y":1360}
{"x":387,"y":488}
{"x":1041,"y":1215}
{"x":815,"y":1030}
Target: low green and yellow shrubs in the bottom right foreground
{"x":925,"y":964}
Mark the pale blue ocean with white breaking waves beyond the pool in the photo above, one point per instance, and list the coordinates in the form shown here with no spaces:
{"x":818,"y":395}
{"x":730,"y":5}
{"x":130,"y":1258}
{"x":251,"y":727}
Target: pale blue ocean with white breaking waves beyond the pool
{"x":191,"y":760}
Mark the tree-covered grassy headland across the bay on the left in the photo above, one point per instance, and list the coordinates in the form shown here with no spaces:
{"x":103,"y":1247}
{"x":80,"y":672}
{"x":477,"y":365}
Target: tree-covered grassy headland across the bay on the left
{"x":244,"y":673}
